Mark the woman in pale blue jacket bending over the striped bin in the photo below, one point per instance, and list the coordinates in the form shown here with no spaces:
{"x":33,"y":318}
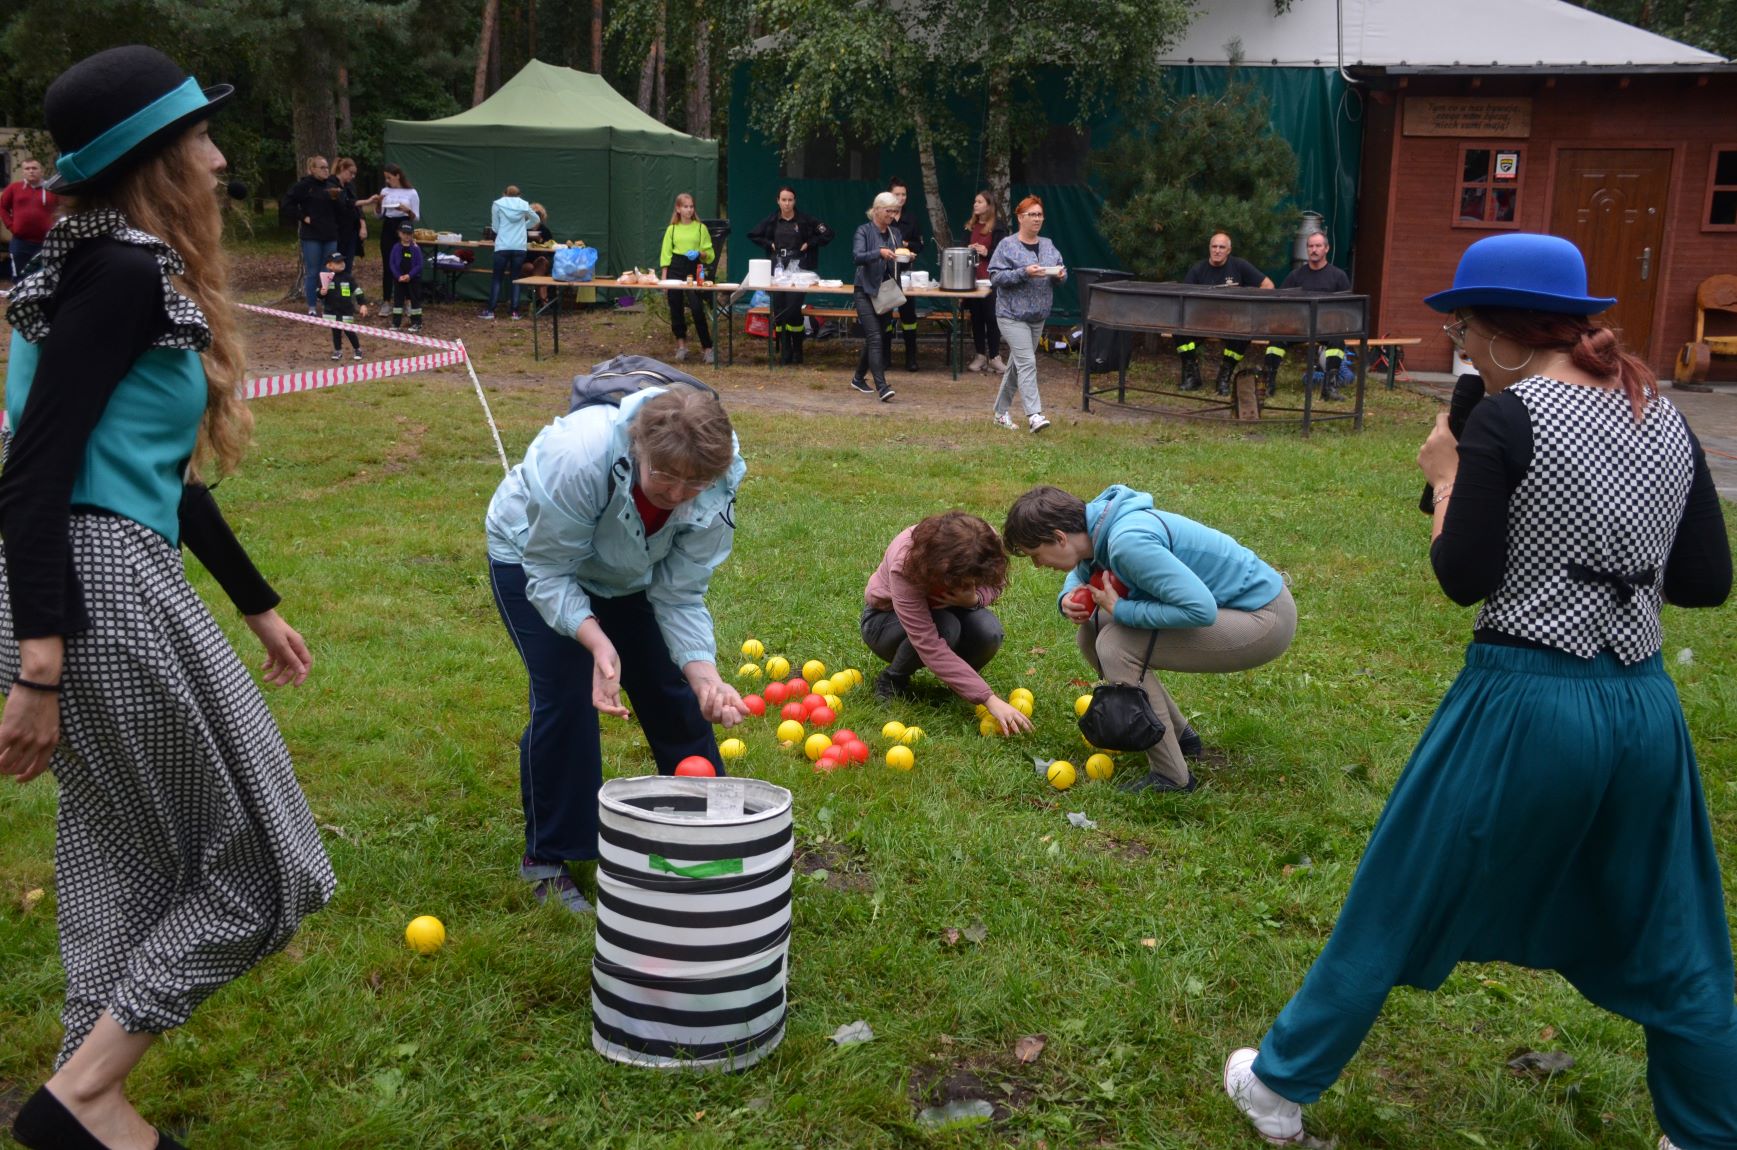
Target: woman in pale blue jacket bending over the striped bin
{"x":602,"y":546}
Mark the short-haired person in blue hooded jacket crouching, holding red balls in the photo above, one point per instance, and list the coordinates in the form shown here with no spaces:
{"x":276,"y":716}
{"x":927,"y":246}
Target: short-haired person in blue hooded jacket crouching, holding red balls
{"x":1158,"y":592}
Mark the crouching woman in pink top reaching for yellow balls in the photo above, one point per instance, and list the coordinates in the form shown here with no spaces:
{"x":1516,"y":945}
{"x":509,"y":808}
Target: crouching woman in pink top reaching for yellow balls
{"x":928,"y":607}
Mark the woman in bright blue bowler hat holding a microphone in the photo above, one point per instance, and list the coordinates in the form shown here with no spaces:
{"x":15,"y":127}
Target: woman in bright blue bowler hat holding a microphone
{"x":1552,"y":816}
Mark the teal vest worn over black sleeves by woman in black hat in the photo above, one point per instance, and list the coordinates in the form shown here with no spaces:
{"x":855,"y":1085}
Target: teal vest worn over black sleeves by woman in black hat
{"x":138,"y":456}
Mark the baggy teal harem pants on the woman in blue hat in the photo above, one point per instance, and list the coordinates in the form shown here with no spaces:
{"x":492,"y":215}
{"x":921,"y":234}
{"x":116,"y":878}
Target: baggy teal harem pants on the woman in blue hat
{"x":1552,"y":817}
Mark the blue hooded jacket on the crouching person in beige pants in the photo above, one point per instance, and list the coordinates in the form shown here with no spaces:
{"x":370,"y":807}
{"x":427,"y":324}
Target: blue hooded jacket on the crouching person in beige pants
{"x":1179,"y":572}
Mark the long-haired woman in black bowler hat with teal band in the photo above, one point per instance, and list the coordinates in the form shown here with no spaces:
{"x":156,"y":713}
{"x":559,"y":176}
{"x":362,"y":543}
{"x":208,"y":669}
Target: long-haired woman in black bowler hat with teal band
{"x":185,"y":850}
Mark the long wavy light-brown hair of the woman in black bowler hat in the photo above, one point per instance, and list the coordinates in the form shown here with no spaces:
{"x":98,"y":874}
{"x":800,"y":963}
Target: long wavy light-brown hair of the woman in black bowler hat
{"x":176,"y":202}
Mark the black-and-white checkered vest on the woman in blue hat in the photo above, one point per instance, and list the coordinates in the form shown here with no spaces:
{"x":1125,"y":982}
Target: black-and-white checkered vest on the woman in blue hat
{"x":1592,"y":522}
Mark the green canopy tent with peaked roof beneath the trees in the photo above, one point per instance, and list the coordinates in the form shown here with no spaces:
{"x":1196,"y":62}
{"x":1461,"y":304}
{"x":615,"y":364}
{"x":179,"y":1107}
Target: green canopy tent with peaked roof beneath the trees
{"x":605,"y":171}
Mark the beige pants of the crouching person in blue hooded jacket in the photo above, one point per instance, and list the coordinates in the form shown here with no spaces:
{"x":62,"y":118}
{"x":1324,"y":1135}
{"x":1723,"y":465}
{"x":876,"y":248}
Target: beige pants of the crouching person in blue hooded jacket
{"x":1236,"y":642}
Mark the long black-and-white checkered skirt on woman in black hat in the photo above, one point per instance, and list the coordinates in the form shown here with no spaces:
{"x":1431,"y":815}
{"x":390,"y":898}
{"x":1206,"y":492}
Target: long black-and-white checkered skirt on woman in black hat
{"x":185,"y":849}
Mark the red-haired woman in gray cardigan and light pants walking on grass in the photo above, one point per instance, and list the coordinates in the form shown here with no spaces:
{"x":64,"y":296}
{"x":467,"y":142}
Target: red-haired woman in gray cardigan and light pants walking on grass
{"x":1022,"y":270}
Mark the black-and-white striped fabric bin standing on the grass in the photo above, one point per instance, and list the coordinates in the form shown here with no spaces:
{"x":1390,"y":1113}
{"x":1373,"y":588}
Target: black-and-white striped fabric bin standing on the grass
{"x":694,"y":922}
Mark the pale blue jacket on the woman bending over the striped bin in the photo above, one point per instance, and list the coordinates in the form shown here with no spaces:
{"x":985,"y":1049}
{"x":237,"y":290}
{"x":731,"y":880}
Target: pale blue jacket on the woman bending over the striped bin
{"x":567,"y":517}
